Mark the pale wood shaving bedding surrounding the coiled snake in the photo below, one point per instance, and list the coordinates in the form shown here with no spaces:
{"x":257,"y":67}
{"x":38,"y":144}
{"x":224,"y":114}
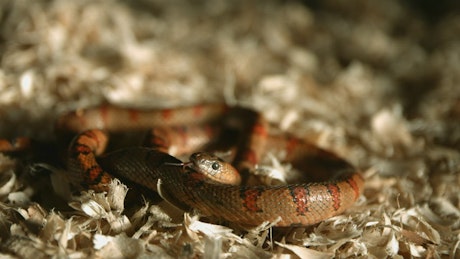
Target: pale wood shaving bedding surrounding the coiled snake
{"x":377,"y":82}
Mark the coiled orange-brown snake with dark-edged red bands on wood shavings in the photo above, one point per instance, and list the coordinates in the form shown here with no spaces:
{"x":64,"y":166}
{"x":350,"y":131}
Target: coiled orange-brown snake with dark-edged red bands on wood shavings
{"x":205,"y":182}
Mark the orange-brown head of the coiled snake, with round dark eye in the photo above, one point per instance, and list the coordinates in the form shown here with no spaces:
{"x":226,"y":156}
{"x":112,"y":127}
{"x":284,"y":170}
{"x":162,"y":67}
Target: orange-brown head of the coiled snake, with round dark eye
{"x":214,"y":168}
